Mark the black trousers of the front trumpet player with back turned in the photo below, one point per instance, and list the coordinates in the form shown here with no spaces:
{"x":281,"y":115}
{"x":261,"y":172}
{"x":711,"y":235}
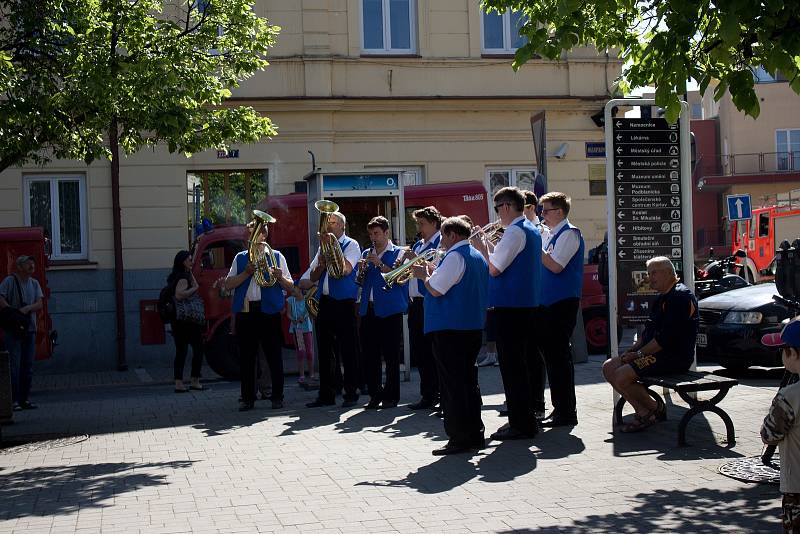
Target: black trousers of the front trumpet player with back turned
{"x":455,"y":353}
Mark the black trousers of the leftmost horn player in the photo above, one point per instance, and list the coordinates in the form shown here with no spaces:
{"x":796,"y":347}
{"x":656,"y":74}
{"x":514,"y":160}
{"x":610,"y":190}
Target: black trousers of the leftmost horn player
{"x":254,"y":329}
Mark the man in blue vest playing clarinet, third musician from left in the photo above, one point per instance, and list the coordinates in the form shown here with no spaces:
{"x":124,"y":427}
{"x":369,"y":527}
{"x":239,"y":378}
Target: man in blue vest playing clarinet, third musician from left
{"x":381,"y":313}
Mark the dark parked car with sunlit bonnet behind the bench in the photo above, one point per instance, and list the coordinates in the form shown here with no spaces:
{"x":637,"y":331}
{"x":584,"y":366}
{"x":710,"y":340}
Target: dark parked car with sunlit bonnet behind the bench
{"x":732,"y":323}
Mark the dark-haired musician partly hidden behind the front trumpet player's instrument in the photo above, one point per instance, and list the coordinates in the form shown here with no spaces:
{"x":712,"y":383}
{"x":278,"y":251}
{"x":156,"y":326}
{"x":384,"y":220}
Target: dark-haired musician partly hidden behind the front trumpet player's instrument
{"x":429,"y":221}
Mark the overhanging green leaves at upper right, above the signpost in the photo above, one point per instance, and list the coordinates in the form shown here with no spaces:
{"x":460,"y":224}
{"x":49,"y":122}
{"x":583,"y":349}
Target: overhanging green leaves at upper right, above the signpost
{"x":665,"y":43}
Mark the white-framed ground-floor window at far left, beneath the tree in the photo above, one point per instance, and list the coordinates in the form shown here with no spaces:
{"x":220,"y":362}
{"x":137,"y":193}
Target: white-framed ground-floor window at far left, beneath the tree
{"x":58,"y":205}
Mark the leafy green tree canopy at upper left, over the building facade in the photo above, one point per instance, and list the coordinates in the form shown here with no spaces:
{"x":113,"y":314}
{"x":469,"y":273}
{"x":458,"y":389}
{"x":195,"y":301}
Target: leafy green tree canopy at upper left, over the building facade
{"x":79,"y":76}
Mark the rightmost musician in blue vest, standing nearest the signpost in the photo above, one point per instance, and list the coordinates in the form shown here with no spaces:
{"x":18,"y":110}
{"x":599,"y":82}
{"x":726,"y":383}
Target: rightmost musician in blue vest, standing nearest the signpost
{"x":562,"y":281}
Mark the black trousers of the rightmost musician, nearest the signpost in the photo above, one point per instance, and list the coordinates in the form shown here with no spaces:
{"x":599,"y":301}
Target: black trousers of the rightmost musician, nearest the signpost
{"x":558,"y":323}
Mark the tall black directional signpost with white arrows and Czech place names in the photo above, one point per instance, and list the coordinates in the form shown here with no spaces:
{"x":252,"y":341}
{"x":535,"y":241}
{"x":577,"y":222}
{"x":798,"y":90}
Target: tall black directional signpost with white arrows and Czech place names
{"x":649,"y":205}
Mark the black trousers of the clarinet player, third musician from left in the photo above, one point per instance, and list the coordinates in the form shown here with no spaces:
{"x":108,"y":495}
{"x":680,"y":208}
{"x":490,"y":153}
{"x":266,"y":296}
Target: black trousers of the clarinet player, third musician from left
{"x":381,"y":338}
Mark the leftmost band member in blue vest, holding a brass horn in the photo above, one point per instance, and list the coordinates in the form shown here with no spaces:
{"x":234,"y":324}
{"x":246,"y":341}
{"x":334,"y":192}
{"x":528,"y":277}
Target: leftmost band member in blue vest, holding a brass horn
{"x":258,"y":320}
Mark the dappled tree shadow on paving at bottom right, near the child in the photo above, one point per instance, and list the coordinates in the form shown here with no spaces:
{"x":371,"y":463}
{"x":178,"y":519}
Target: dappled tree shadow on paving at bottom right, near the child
{"x":704,"y":510}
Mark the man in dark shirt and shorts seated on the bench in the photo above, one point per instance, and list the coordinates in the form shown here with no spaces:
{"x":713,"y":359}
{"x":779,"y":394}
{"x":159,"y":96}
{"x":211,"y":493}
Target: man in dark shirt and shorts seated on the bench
{"x":666,"y":345}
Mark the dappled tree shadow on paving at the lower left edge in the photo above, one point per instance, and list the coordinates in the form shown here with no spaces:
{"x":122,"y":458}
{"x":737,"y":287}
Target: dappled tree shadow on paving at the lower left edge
{"x":51,"y":491}
